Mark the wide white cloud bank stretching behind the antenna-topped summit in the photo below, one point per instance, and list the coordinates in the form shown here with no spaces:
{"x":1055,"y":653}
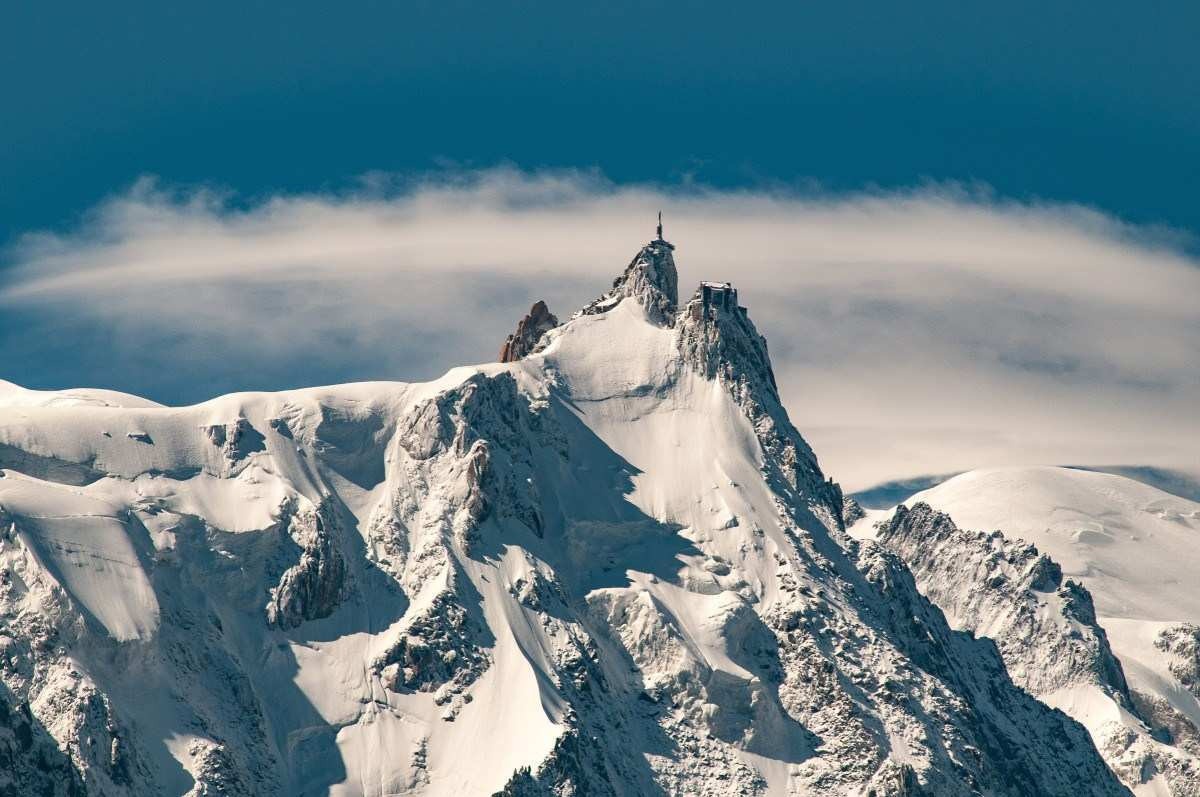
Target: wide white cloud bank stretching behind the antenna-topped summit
{"x":913,"y":333}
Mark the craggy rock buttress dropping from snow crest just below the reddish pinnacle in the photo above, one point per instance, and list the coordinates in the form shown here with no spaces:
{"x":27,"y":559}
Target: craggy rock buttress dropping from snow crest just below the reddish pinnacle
{"x":467,"y":459}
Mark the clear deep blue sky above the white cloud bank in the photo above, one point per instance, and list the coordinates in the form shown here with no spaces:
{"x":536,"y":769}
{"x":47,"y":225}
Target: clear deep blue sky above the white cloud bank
{"x":1094,"y":103}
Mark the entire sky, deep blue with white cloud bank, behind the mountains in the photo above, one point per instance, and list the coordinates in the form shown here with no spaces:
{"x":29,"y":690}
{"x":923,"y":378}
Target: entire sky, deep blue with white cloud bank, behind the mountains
{"x":968,"y":230}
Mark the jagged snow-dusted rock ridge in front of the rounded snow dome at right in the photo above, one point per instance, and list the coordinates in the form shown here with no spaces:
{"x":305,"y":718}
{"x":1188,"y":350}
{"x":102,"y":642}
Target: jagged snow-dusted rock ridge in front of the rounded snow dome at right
{"x":1048,"y":634}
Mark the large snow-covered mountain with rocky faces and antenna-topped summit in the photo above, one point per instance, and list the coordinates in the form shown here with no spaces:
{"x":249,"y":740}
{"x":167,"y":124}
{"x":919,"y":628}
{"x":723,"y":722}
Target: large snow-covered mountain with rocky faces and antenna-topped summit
{"x":609,"y":568}
